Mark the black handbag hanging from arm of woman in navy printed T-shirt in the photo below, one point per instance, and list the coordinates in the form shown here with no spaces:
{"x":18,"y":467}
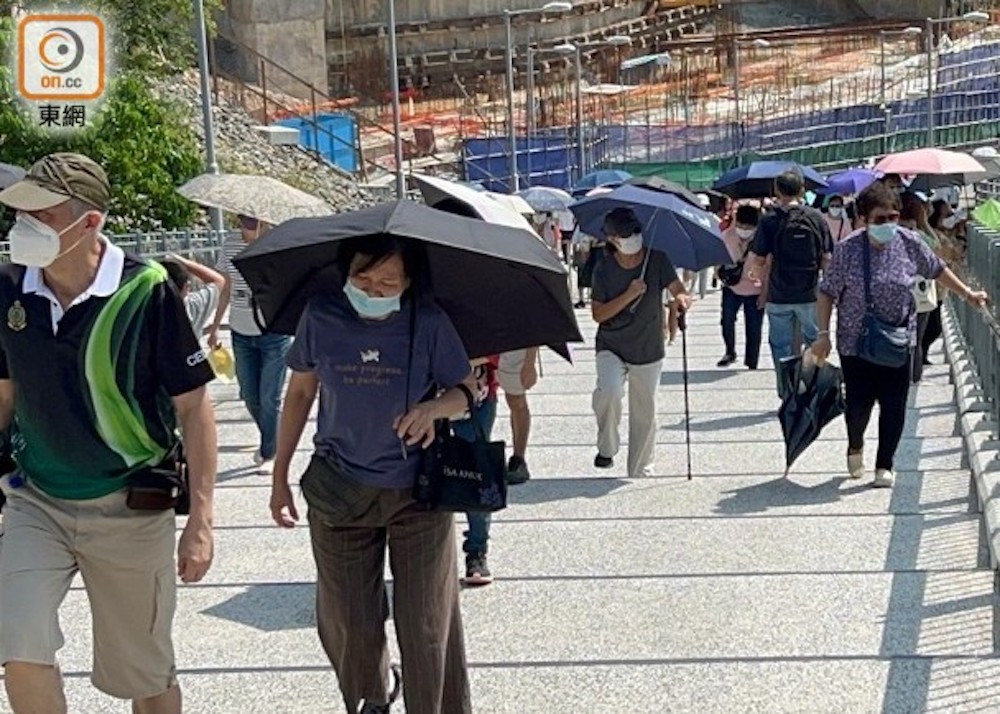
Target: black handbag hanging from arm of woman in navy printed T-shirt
{"x":457,"y":475}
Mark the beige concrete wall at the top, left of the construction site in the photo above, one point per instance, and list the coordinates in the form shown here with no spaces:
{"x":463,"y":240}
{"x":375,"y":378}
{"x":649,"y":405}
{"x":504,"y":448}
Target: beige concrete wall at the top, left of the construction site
{"x":292,"y":34}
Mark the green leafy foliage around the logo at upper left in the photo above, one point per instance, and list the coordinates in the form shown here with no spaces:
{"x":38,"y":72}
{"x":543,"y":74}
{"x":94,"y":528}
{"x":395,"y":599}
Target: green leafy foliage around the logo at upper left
{"x":141,"y":141}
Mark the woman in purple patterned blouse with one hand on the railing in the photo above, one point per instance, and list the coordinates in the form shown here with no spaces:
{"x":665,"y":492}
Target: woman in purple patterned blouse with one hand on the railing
{"x":899,"y":258}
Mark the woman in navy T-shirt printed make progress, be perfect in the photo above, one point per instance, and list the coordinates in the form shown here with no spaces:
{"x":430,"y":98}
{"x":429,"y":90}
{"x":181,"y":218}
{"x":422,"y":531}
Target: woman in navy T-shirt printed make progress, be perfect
{"x":373,"y":351}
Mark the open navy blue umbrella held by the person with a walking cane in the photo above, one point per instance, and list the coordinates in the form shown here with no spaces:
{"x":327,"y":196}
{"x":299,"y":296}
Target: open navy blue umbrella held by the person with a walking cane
{"x":689,"y":236}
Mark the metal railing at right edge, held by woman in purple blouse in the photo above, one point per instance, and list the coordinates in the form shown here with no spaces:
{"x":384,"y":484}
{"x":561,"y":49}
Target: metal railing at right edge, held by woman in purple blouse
{"x":979,"y":327}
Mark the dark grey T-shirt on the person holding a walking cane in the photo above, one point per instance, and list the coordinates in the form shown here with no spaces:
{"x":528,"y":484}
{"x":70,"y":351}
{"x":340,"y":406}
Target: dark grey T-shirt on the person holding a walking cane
{"x":636,"y":337}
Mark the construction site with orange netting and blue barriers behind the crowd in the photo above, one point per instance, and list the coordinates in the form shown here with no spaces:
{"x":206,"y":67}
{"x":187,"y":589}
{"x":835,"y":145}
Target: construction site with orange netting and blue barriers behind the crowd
{"x":678,"y":88}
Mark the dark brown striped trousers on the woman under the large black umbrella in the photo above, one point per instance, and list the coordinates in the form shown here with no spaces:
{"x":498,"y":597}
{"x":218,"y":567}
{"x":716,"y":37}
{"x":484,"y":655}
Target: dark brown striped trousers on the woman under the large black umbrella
{"x":351,"y":525}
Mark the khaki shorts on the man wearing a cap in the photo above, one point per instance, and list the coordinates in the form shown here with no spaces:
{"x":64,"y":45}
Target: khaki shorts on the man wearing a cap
{"x":126,"y":560}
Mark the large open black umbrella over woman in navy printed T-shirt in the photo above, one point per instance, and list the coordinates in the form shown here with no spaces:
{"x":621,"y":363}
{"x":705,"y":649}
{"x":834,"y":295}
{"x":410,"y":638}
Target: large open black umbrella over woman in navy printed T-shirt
{"x":502,"y":289}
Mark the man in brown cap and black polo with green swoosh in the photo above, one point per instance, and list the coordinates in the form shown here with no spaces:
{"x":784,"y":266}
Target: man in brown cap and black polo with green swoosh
{"x":98,"y":364}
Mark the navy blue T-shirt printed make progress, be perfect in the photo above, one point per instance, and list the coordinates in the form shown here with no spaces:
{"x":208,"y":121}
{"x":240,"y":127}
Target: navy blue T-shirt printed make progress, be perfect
{"x":361,"y":366}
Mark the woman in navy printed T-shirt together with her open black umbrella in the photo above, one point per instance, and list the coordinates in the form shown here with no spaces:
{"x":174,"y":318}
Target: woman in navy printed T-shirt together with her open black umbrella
{"x":387,"y":308}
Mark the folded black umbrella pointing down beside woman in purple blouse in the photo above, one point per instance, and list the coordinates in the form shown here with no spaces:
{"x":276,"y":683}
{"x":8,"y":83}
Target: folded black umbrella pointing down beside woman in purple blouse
{"x":814,"y":396}
